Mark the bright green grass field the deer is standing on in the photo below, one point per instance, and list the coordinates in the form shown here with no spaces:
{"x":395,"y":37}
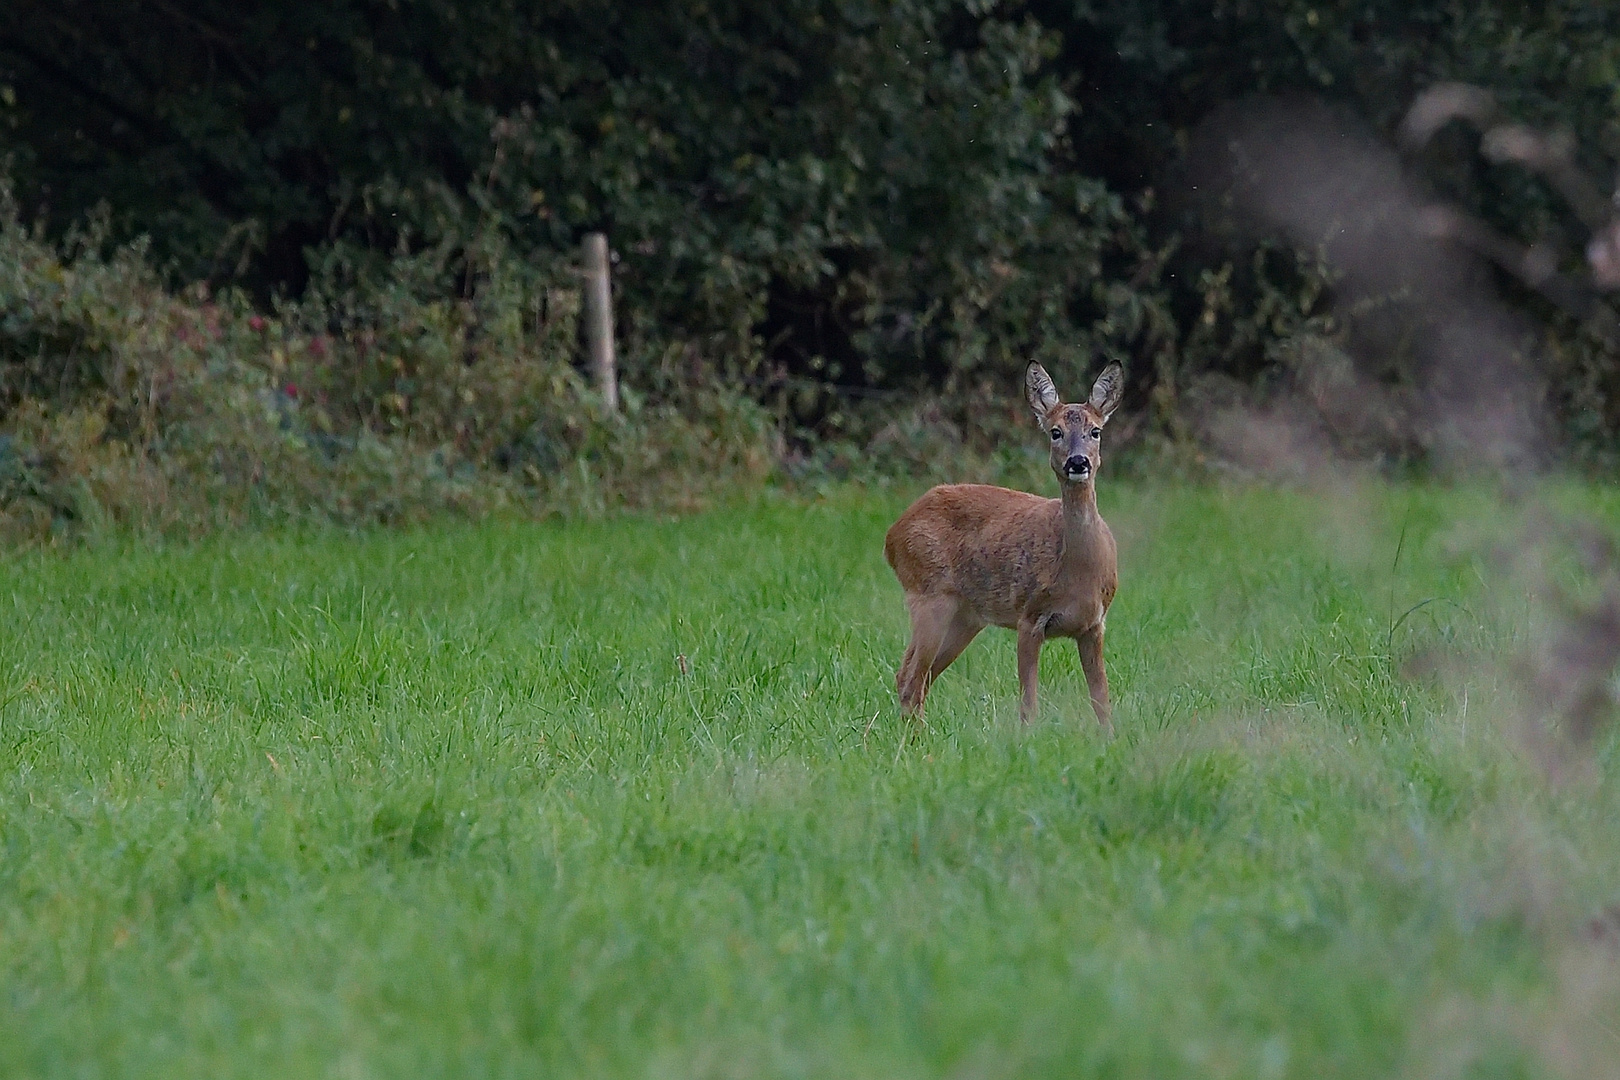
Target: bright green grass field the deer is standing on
{"x":446,"y":804}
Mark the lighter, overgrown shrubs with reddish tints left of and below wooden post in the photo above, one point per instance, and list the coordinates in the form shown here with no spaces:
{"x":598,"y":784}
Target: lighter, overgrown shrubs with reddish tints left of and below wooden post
{"x":365,"y":402}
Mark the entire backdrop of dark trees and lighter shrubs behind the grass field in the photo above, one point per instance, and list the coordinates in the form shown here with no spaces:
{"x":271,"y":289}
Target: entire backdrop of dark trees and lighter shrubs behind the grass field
{"x":320,"y":260}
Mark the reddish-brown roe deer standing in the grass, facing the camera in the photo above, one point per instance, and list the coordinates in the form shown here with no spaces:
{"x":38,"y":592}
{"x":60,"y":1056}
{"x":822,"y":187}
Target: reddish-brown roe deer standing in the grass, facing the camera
{"x":971,"y":556}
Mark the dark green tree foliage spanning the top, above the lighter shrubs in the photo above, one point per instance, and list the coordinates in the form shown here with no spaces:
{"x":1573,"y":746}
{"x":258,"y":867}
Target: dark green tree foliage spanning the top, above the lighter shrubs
{"x":803,"y":195}
